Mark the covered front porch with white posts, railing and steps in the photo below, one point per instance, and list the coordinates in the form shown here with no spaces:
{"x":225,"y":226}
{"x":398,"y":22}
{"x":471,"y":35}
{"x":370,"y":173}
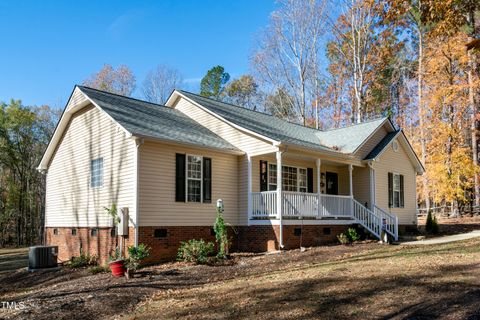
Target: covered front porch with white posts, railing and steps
{"x":298,"y":186}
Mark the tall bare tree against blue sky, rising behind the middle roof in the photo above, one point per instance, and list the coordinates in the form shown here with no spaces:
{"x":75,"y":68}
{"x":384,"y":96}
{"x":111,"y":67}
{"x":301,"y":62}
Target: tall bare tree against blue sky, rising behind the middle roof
{"x":287,"y":53}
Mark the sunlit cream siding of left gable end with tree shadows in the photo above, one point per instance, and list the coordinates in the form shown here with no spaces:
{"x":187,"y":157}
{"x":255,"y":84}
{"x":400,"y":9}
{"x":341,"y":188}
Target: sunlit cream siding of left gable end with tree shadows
{"x":70,"y":201}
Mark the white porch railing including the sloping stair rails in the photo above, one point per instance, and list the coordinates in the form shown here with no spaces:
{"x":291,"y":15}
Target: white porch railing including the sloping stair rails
{"x":300,"y":204}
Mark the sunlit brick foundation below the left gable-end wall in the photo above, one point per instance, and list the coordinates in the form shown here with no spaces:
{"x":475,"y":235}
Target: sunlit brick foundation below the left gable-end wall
{"x":102,"y":245}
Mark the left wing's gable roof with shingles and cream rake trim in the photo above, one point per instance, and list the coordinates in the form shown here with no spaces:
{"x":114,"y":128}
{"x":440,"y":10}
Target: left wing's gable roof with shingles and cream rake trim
{"x":138,"y":119}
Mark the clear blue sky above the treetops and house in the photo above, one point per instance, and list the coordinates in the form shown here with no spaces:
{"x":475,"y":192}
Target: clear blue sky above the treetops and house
{"x":49,"y":46}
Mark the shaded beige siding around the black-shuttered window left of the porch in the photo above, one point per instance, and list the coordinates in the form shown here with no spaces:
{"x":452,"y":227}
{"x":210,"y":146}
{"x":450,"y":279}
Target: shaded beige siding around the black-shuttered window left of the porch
{"x":157,"y":206}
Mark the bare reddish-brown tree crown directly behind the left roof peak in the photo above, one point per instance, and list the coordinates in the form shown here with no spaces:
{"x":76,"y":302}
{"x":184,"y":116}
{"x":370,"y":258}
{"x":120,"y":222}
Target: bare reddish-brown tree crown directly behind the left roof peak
{"x":120,"y":81}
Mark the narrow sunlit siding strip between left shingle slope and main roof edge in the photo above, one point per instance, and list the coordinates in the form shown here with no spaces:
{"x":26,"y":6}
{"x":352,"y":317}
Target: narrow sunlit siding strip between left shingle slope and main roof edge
{"x":243,"y":141}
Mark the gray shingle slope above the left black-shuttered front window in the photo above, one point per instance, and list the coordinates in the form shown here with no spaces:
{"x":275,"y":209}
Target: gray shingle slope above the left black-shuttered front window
{"x":152,"y":120}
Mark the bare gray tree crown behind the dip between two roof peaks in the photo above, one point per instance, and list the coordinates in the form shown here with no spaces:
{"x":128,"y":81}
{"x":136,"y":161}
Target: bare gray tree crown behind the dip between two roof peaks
{"x":160,"y":82}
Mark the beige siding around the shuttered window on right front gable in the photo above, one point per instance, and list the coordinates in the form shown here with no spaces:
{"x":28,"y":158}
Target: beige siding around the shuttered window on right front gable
{"x":398,"y":162}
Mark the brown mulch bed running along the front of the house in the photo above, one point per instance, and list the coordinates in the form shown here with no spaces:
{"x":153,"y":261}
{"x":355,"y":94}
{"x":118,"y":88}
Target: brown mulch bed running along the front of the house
{"x":77,"y":294}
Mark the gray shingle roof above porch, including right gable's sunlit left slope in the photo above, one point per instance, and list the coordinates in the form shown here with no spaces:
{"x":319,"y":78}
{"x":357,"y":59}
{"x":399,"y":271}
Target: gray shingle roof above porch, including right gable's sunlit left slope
{"x":345,"y":140}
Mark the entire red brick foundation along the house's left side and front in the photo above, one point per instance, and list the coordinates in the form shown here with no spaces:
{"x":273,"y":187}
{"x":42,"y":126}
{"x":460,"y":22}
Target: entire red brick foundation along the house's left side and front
{"x":165,"y":246}
